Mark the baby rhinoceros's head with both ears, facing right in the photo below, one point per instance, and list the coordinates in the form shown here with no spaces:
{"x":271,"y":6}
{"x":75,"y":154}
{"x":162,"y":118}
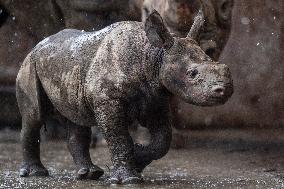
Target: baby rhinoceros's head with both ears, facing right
{"x":186,"y":71}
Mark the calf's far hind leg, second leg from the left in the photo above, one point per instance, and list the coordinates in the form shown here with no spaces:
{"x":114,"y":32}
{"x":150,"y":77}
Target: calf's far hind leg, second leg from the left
{"x":79,"y":139}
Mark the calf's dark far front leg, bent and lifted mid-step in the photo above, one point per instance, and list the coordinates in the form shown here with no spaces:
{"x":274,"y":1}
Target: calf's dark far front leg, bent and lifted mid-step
{"x":161,"y":136}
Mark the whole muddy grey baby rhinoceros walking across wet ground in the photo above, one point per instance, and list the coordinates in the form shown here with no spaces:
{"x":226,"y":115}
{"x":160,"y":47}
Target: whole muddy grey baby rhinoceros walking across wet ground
{"x":111,"y":78}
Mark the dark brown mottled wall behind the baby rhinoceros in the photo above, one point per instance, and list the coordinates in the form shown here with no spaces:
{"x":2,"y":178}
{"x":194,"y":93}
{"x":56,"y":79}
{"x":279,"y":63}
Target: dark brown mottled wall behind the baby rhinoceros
{"x":254,"y":54}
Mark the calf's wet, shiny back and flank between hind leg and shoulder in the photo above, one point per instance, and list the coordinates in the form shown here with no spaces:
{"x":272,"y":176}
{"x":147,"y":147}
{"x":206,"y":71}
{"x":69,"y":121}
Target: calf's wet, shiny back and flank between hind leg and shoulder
{"x":62,"y":61}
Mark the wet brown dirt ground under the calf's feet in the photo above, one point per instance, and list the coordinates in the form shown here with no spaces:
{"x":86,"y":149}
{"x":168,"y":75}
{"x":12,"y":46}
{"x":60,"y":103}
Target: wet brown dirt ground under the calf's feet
{"x":212,"y":159}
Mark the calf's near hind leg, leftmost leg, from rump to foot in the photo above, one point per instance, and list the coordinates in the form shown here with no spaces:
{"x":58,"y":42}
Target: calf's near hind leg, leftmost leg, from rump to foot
{"x":29,"y":97}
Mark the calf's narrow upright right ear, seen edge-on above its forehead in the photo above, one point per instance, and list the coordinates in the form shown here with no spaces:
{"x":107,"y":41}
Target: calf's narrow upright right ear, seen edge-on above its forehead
{"x":197,"y":25}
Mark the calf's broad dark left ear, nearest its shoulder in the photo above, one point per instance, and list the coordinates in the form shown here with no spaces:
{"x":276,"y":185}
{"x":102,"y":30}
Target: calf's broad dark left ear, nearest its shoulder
{"x":157,"y":32}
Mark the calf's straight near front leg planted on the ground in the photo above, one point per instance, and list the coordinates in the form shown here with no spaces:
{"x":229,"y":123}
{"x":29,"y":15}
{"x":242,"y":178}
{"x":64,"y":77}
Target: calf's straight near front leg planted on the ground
{"x":113,"y":123}
